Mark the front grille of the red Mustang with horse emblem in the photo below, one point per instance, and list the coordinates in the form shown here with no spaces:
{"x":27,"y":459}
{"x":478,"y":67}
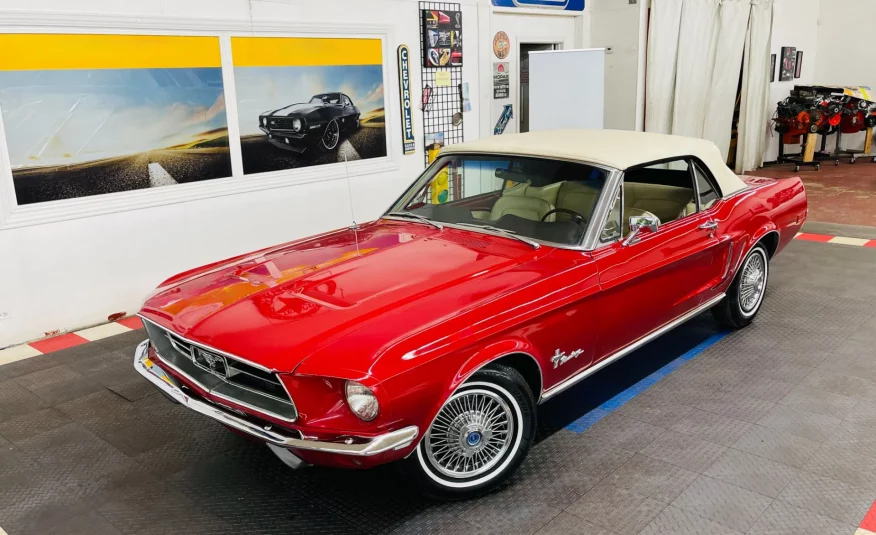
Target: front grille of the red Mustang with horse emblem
{"x":223,"y":375}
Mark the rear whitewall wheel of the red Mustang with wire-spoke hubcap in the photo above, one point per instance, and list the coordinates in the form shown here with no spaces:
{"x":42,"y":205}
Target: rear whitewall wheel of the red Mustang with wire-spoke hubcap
{"x":745,"y":295}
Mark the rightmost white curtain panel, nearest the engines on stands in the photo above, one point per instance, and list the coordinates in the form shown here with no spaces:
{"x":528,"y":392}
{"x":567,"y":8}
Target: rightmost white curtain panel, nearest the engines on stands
{"x":754,"y":113}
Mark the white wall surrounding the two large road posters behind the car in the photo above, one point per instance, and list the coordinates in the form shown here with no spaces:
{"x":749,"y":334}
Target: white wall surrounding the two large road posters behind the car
{"x":75,"y":271}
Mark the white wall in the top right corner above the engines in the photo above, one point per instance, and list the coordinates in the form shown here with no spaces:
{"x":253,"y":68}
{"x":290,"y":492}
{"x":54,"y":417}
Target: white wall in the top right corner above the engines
{"x":845,"y":55}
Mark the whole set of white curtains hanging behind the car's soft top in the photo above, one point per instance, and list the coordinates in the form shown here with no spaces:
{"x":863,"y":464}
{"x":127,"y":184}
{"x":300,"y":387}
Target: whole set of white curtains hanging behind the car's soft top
{"x":695,"y":52}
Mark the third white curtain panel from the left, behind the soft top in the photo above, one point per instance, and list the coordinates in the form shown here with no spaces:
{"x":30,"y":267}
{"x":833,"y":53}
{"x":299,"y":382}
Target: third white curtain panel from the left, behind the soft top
{"x":718,"y":123}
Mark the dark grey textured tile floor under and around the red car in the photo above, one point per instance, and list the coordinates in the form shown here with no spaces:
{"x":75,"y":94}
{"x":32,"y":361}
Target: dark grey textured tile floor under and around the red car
{"x":771,"y":430}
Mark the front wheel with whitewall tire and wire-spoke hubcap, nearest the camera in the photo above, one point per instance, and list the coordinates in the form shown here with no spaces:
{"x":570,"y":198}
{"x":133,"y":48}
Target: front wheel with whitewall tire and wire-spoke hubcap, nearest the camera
{"x":479,"y":437}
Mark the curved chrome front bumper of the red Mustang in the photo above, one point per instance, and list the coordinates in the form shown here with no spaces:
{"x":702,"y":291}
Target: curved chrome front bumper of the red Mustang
{"x":169,"y":386}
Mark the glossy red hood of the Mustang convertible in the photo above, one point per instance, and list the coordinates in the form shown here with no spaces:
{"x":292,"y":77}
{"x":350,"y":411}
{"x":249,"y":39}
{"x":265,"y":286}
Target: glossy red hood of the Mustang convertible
{"x":379,"y":284}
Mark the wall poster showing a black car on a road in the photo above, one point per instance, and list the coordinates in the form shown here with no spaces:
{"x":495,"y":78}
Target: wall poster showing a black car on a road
{"x":308,"y":101}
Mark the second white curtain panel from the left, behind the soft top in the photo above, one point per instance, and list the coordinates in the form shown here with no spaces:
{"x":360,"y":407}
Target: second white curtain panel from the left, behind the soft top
{"x":696,"y":61}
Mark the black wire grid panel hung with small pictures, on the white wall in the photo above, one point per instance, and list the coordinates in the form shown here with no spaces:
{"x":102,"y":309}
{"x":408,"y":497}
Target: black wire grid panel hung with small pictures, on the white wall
{"x":445,"y":101}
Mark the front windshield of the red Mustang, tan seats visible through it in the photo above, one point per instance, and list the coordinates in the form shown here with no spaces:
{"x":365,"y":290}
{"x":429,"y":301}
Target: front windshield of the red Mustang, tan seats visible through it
{"x":547,"y":200}
